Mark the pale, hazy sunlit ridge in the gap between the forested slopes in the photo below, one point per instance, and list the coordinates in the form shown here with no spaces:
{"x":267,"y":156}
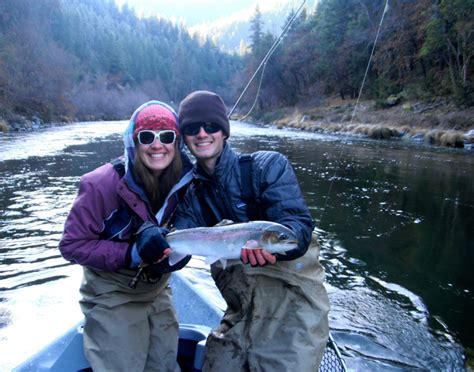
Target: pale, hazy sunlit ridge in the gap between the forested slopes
{"x":231,"y":33}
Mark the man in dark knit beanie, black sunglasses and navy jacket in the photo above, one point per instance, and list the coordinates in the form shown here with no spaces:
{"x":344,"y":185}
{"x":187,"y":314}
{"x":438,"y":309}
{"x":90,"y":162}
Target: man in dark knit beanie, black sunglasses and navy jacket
{"x":277,"y":307}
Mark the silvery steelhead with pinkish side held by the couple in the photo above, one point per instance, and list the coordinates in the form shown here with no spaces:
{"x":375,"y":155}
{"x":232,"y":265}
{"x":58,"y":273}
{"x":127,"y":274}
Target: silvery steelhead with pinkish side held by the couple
{"x":224,"y":242}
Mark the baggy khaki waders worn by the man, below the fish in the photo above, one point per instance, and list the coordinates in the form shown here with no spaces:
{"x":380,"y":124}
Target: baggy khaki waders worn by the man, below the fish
{"x":276,"y":317}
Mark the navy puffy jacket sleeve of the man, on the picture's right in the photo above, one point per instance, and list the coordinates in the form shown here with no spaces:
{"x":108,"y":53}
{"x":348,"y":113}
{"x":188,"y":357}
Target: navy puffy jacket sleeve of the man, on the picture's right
{"x":282,"y":199}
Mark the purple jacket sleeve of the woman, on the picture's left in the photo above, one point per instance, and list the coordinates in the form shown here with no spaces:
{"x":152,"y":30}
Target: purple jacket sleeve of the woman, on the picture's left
{"x":80,"y":242}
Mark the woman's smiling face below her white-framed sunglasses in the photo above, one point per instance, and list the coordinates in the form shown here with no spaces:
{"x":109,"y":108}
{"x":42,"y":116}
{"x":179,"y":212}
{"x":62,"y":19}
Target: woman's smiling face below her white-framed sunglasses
{"x":156,"y":157}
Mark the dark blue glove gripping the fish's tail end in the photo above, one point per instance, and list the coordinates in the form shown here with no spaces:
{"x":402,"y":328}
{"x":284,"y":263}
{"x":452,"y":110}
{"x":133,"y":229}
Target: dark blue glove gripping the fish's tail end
{"x":150,"y":244}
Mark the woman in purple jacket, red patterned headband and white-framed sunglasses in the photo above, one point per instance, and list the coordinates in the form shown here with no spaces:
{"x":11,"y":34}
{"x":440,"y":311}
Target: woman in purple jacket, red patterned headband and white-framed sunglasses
{"x":115,"y":231}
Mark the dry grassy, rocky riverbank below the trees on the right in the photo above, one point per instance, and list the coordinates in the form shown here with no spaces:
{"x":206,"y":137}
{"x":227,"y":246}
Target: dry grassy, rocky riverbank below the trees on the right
{"x":437,"y":122}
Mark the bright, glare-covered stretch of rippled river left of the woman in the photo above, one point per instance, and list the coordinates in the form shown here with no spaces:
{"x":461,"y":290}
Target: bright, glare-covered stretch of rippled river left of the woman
{"x":39,"y":172}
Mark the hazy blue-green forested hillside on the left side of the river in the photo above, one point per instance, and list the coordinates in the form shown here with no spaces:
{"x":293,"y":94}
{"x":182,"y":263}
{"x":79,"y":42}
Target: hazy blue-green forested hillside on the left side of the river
{"x":87,"y":58}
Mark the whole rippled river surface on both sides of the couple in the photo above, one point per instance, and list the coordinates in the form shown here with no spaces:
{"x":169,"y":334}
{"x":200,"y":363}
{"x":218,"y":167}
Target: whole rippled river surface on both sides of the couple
{"x":395,"y":222}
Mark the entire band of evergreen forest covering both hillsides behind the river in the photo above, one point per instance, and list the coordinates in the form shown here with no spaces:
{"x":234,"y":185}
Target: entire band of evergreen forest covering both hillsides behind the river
{"x":89,"y":59}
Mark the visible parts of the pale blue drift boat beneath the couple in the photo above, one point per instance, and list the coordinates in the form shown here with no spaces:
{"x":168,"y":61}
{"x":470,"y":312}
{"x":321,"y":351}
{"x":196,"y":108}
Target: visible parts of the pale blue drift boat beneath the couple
{"x":197,"y":316}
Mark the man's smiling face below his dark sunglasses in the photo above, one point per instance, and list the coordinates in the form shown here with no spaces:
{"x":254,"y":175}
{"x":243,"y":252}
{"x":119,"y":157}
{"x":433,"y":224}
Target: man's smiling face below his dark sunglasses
{"x":206,"y":147}
